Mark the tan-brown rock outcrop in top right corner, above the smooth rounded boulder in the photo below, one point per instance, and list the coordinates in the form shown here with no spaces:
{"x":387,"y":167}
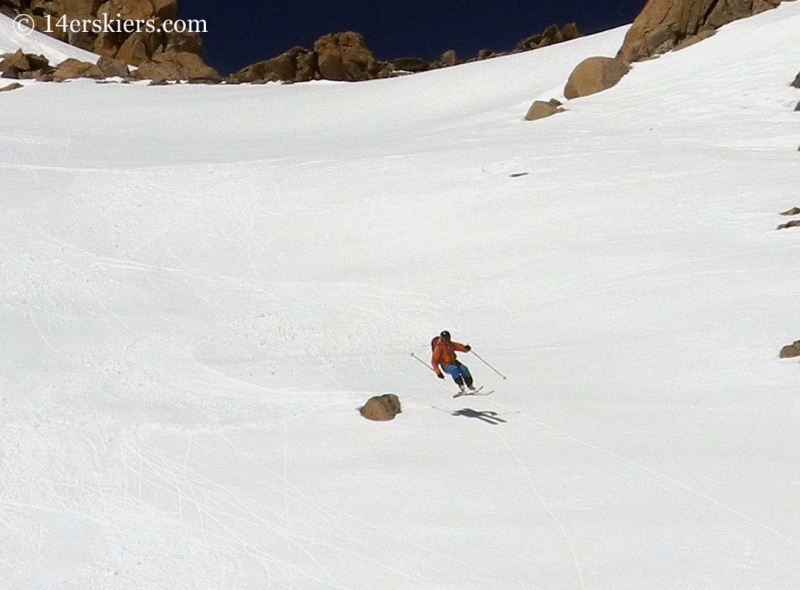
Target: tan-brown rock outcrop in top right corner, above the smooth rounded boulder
{"x":663,"y":24}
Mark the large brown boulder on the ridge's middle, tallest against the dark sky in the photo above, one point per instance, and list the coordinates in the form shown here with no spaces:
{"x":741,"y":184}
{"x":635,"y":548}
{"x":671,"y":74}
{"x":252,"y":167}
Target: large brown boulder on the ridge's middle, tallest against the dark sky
{"x":345,"y":56}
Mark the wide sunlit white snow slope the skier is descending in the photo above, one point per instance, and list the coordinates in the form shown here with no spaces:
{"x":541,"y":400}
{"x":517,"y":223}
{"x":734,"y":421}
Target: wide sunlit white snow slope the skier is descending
{"x":201,"y":285}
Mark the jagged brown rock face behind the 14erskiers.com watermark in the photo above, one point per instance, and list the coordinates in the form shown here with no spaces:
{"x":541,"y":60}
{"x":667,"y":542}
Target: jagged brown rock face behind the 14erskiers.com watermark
{"x":136,"y":48}
